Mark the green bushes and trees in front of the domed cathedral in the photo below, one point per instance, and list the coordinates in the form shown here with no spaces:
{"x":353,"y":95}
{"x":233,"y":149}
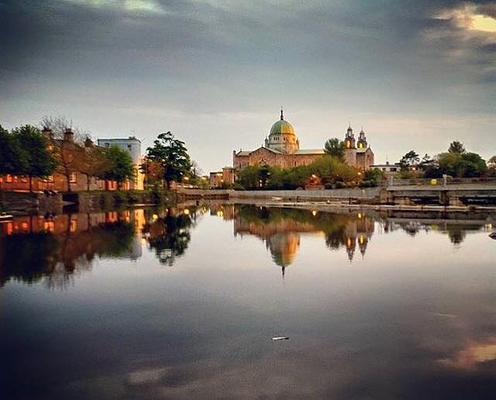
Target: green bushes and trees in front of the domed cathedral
{"x":328,"y":169}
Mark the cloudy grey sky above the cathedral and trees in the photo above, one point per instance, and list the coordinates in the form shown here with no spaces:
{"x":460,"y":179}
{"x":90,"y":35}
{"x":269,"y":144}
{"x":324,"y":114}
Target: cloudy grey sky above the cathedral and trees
{"x":415,"y":74}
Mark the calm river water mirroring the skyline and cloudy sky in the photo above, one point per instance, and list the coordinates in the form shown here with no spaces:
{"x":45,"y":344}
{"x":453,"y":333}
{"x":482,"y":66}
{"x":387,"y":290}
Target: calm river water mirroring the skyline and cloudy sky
{"x":183,"y":303}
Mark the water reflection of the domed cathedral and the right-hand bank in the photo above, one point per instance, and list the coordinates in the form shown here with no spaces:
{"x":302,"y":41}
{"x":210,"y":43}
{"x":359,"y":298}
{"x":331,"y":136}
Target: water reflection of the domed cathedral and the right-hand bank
{"x":282,"y":228}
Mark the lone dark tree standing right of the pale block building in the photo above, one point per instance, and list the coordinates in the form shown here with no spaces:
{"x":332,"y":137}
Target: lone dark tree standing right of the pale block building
{"x":172,"y":155}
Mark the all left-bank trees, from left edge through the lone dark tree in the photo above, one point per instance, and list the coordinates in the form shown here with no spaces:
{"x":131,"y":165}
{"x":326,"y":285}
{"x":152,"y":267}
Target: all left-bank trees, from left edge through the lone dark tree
{"x":31,"y":152}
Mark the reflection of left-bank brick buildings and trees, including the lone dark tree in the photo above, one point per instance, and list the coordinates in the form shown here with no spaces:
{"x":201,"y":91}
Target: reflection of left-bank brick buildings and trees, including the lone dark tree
{"x":60,"y":247}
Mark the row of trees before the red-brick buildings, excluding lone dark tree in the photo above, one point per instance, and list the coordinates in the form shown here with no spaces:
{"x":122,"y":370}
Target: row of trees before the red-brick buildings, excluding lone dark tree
{"x":30,"y":152}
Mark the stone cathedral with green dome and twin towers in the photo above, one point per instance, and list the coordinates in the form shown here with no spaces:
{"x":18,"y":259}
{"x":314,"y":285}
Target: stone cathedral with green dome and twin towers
{"x":282,"y":149}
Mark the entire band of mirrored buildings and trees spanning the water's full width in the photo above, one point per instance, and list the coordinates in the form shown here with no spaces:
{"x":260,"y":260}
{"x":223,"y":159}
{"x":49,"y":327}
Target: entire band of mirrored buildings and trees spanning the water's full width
{"x":58,"y":248}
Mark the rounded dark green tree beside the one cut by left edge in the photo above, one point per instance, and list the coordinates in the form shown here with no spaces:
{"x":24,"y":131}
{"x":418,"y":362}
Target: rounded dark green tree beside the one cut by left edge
{"x":39,"y":161}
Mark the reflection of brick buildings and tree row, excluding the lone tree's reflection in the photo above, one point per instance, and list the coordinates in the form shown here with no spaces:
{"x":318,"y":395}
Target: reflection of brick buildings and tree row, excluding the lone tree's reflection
{"x":57,"y":248}
